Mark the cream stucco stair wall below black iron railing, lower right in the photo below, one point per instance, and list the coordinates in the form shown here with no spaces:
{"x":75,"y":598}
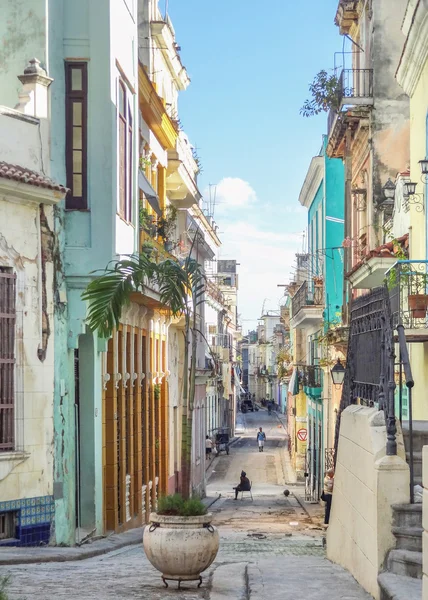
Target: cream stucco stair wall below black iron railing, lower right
{"x":366,"y":484}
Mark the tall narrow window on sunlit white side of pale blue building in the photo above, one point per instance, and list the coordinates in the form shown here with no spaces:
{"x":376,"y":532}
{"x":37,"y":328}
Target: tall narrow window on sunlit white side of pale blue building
{"x":125,"y":152}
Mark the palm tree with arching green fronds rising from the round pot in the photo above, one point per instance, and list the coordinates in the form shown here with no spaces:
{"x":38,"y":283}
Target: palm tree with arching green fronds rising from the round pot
{"x":181,"y":288}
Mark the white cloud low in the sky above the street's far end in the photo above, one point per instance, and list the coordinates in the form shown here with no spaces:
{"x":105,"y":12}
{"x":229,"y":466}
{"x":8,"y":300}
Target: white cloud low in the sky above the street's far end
{"x":254,"y":235}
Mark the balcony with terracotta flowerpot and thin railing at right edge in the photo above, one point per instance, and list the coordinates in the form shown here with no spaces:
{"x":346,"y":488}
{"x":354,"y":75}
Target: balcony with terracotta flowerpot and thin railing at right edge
{"x":407,"y":281}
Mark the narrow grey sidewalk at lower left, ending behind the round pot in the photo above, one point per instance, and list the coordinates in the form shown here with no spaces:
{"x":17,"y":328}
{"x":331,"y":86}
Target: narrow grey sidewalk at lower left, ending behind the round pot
{"x":14,"y":555}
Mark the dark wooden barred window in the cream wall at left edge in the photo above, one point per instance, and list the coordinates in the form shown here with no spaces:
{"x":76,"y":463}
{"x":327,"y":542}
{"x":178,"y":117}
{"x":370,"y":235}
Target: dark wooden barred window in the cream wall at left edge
{"x":7,"y":358}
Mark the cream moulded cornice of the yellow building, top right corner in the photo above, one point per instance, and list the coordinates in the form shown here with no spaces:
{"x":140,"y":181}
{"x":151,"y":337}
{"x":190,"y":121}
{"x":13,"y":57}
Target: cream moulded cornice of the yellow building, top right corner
{"x":415,"y":52}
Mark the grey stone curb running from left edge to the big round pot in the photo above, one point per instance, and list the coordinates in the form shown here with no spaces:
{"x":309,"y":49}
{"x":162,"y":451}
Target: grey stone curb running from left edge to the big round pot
{"x":74,"y":553}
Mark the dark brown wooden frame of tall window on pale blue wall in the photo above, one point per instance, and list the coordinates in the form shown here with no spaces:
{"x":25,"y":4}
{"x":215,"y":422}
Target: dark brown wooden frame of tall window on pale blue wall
{"x":71,"y":97}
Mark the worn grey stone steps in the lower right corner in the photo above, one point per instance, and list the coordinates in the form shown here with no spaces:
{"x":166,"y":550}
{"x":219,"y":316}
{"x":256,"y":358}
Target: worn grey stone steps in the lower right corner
{"x":403,"y":578}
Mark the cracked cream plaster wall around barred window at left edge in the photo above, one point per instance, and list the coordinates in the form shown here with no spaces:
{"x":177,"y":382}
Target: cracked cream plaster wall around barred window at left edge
{"x":29,"y":474}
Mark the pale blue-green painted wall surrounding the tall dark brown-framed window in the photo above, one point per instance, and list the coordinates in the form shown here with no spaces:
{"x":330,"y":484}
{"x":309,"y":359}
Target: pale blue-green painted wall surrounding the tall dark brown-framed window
{"x":86,"y":241}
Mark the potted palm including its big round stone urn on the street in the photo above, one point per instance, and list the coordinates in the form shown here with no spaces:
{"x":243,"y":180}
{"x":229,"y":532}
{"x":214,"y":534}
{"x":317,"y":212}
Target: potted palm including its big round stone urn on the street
{"x":181,"y":288}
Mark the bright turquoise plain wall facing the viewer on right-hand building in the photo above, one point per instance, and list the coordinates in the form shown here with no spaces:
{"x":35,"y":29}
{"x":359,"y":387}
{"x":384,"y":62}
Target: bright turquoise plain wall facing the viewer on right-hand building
{"x":334,"y":194}
